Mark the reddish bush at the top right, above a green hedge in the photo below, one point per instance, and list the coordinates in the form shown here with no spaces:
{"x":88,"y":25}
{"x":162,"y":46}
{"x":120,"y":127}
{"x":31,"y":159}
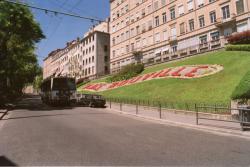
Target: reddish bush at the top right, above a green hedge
{"x":240,"y":38}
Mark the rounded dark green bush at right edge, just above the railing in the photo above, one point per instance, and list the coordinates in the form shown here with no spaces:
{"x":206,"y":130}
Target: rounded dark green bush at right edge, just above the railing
{"x":242,"y":91}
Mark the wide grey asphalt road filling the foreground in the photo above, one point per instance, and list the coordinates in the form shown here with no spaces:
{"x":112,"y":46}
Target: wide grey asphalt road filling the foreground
{"x":34,"y":134}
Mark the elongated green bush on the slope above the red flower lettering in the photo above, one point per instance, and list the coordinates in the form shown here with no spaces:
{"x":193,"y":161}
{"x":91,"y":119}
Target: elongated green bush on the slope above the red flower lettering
{"x":127,"y":72}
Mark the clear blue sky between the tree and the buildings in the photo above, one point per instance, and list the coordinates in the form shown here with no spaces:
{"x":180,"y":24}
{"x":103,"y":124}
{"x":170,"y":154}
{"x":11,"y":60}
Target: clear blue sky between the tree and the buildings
{"x":60,"y":29}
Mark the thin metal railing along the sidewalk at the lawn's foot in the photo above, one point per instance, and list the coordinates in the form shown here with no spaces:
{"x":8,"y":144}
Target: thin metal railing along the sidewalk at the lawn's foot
{"x":215,"y":112}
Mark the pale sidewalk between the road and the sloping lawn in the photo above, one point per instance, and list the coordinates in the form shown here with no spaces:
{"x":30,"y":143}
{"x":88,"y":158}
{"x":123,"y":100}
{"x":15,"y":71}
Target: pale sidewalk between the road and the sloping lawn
{"x":182,"y":119}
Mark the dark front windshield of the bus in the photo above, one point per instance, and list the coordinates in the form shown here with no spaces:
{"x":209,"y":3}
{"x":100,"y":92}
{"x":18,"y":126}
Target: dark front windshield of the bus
{"x":64,"y":84}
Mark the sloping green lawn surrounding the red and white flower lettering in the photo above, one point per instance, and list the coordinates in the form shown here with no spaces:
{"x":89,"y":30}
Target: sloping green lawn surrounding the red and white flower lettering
{"x":210,"y":90}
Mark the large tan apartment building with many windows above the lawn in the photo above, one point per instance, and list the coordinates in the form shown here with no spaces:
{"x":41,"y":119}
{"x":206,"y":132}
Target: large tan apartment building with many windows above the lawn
{"x":163,"y":30}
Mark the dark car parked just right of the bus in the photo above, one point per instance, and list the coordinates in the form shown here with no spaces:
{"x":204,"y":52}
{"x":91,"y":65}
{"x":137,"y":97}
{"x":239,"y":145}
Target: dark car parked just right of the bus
{"x":90,"y":100}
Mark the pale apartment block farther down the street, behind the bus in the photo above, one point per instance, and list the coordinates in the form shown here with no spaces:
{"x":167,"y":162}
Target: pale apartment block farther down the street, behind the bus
{"x":85,"y":58}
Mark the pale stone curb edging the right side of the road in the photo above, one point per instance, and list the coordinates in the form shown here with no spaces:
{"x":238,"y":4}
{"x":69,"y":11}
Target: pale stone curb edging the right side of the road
{"x":224,"y":132}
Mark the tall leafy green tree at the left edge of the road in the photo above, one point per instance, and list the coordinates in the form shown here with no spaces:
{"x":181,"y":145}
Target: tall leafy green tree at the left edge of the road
{"x":19,"y":33}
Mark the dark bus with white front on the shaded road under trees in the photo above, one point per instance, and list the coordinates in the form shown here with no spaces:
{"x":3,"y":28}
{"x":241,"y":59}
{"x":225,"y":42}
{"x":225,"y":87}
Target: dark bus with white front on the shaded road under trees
{"x":58,"y":90}
